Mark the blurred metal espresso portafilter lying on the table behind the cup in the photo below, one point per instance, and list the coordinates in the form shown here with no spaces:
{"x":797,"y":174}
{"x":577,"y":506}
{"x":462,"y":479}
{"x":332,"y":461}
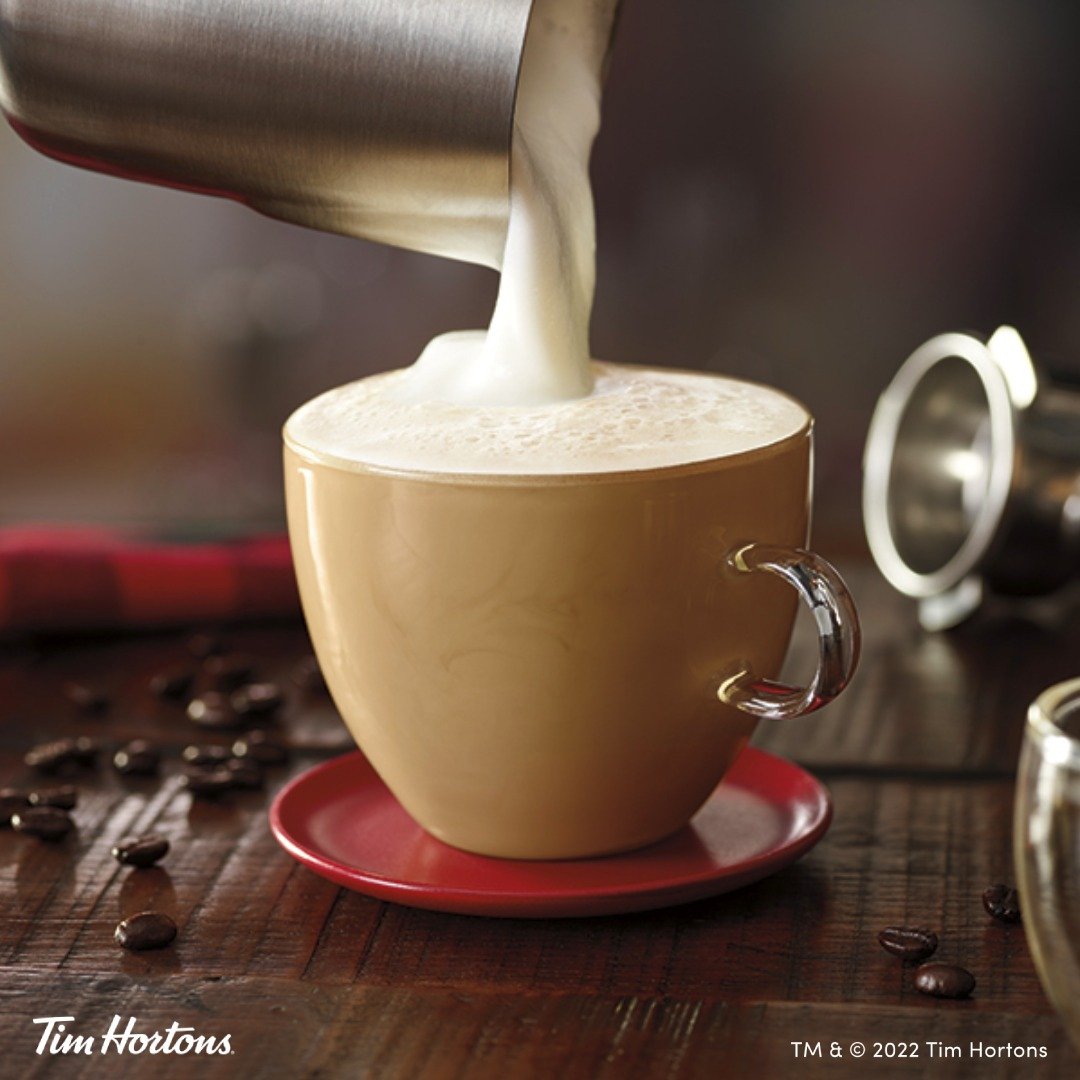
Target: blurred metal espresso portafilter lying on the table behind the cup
{"x":971,"y":477}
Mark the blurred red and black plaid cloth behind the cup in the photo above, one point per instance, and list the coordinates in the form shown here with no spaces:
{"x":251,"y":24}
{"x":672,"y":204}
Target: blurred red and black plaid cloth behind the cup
{"x":83,"y":578}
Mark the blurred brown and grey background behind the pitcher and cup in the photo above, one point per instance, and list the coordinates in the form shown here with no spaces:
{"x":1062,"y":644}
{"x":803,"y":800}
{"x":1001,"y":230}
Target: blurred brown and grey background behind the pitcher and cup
{"x":794,"y":192}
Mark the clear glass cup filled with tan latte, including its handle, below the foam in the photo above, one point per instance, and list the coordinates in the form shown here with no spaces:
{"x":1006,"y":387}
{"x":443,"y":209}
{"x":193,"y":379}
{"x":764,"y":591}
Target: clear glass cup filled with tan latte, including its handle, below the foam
{"x":558,"y":667}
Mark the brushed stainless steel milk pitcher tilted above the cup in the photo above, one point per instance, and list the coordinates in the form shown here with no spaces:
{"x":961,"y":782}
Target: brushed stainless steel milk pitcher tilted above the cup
{"x":385,"y":119}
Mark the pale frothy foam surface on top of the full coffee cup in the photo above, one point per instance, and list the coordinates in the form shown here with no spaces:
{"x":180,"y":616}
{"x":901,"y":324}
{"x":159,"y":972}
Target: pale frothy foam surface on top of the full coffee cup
{"x":636,"y":418}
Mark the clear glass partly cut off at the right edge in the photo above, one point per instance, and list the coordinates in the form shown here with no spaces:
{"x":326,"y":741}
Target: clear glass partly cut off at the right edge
{"x":1047,"y":839}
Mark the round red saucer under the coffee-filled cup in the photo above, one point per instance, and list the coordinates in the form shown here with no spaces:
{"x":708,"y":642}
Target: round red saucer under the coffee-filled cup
{"x":341,"y":821}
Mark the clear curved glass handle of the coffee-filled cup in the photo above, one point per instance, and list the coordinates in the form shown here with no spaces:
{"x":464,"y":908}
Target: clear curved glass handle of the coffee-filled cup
{"x":822,"y":589}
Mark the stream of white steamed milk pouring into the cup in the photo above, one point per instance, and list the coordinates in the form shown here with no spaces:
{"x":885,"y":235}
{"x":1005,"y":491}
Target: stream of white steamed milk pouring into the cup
{"x":537,"y":346}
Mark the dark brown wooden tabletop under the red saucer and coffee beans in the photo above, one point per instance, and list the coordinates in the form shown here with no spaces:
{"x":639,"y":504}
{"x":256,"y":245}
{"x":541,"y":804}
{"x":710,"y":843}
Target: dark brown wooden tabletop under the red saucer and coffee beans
{"x":312,"y":980}
